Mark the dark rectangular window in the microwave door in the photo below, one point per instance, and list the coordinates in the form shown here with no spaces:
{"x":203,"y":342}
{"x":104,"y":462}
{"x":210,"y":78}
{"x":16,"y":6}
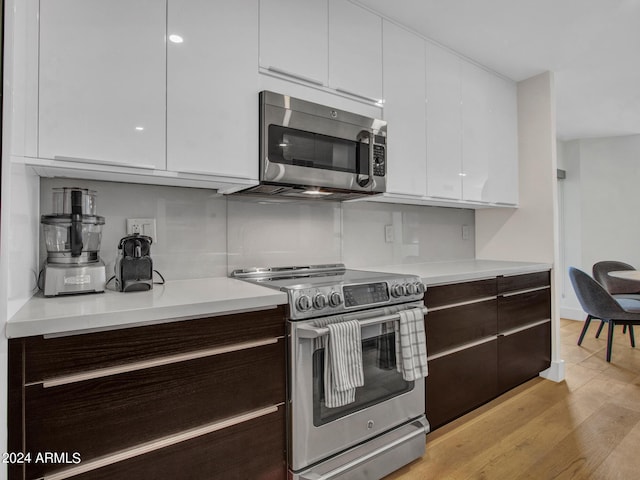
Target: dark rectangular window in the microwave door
{"x":305,"y":149}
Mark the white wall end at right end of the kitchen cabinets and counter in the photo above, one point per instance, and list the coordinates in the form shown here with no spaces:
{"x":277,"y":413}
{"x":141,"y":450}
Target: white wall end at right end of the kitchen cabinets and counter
{"x":530,"y":232}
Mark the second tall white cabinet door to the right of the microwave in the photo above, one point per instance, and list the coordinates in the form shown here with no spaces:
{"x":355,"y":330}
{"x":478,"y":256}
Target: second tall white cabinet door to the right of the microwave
{"x":444,"y":124}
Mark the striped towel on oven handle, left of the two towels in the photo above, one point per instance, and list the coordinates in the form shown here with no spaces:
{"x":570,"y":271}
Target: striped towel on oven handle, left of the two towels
{"x":343,"y":371}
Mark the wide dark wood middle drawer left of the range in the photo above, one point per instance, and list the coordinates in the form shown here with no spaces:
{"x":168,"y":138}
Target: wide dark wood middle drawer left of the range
{"x":100,"y":416}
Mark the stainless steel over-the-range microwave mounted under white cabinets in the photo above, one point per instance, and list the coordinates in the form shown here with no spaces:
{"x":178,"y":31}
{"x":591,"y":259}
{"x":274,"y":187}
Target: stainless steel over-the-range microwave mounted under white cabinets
{"x":314,"y":151}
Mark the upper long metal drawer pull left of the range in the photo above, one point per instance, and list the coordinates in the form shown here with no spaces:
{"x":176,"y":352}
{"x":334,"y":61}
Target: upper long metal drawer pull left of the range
{"x":131,"y":367}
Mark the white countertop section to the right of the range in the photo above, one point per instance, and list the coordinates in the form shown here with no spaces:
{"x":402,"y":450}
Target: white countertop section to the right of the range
{"x":435,"y":273}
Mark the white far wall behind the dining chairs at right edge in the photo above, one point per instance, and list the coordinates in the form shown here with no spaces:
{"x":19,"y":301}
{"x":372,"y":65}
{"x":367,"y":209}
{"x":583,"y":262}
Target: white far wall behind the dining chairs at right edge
{"x":599,"y":210}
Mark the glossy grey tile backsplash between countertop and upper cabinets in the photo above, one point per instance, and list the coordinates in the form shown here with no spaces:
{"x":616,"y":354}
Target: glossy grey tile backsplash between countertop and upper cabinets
{"x":202,"y":234}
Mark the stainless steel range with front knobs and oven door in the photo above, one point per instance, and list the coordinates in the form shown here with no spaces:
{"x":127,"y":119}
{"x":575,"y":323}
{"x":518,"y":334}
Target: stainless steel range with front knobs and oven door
{"x":382,"y":426}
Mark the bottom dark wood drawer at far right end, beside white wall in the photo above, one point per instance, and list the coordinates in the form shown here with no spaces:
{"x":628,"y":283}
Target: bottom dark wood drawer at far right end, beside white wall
{"x":523,"y":355}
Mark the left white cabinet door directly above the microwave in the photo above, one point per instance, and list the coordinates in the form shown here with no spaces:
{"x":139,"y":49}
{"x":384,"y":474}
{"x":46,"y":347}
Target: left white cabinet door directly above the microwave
{"x":293,"y":38}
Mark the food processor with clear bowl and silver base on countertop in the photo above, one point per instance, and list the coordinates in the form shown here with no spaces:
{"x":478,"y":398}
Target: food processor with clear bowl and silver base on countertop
{"x":72,"y":235}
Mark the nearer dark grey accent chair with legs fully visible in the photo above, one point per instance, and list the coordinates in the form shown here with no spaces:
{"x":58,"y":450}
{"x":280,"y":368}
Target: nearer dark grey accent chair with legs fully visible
{"x":598,"y":303}
